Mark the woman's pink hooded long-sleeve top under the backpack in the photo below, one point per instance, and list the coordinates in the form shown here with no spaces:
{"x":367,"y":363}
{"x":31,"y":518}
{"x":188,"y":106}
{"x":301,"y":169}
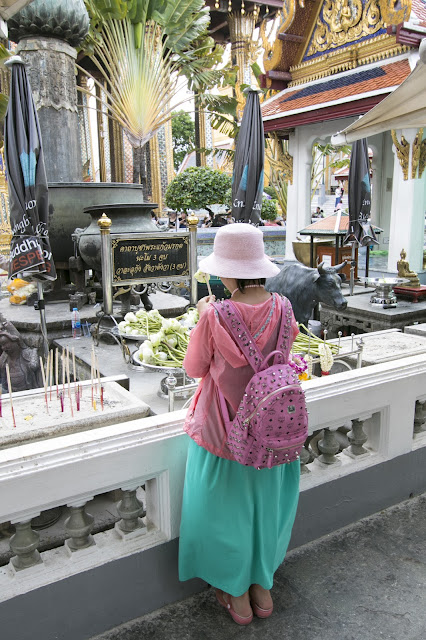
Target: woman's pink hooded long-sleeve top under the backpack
{"x":214,"y":357}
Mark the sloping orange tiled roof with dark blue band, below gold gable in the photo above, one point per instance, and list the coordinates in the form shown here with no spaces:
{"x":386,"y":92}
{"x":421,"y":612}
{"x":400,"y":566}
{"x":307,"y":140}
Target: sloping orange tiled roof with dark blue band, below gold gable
{"x":321,"y":93}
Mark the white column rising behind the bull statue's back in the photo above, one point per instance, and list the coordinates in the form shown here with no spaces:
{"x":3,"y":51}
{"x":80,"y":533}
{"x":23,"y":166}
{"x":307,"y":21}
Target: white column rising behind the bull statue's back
{"x":299,"y":193}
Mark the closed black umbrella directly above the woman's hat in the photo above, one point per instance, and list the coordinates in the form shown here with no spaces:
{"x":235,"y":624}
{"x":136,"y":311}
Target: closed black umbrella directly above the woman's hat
{"x":247,"y":179}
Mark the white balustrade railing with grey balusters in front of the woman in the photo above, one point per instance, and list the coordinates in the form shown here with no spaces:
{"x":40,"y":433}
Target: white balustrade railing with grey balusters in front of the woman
{"x":382,"y":405}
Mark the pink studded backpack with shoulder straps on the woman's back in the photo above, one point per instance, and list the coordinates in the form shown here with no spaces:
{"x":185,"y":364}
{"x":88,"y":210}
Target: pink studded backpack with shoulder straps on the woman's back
{"x":271,"y":424}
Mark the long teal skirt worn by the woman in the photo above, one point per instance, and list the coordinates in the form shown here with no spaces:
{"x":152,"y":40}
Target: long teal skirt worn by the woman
{"x":236,"y":521}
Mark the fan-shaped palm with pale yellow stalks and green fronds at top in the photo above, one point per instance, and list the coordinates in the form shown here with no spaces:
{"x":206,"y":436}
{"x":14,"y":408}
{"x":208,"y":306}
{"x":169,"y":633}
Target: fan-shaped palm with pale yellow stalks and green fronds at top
{"x":145,"y":49}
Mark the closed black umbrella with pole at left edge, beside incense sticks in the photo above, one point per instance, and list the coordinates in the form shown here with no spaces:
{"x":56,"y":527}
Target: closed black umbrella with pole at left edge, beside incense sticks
{"x":30,"y":252}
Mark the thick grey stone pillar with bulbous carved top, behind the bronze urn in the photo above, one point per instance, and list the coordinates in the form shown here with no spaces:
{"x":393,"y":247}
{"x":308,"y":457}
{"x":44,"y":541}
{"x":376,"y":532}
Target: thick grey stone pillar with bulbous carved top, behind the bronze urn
{"x":47,"y":32}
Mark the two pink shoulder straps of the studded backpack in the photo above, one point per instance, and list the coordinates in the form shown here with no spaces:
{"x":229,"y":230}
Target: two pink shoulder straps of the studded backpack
{"x":242,"y":336}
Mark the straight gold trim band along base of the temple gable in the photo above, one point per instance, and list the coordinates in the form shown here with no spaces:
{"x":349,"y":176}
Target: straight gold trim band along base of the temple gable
{"x":380,"y":48}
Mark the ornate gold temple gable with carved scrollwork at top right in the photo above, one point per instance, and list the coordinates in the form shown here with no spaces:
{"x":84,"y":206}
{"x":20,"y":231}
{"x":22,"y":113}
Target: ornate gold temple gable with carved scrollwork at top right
{"x":339,"y":35}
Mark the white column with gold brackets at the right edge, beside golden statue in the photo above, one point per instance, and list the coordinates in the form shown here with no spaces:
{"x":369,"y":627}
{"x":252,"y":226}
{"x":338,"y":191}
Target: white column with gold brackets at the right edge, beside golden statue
{"x":407,"y":212}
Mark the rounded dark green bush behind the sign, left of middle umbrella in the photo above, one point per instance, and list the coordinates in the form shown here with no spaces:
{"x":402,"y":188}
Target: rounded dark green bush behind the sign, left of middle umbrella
{"x":197,"y":187}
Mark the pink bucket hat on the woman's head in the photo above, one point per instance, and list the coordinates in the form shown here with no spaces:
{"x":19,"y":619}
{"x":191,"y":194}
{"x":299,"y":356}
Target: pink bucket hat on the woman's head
{"x":238,"y":252}
